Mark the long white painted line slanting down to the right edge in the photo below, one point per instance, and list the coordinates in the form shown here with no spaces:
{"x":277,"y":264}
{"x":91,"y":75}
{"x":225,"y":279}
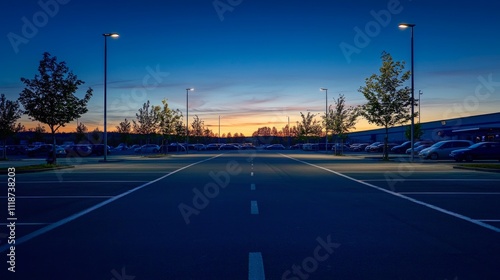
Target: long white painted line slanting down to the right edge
{"x":439,"y":209}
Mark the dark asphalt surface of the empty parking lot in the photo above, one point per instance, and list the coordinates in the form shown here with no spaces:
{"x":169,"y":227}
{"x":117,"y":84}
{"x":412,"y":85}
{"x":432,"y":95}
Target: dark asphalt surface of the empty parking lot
{"x":311,"y":223}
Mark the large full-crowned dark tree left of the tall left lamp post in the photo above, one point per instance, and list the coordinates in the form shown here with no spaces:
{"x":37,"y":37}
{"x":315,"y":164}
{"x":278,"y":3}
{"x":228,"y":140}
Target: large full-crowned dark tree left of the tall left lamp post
{"x":49,"y":97}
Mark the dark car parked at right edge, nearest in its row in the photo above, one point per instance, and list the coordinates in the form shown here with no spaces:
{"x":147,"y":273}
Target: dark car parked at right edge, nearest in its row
{"x":478,"y":151}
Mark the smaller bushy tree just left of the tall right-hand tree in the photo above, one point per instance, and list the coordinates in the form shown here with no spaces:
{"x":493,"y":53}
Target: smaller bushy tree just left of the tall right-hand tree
{"x":341,"y":119}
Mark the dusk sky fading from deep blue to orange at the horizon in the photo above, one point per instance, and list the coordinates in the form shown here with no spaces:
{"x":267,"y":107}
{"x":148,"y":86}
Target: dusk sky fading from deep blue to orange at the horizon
{"x":254,"y":63}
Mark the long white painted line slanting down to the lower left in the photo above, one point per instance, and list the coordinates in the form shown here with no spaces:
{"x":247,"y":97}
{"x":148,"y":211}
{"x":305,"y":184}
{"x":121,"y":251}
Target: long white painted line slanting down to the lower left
{"x":95,"y":207}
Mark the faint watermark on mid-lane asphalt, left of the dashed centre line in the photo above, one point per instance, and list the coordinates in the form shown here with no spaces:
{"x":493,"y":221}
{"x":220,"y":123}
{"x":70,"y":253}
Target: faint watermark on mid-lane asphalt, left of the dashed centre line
{"x":211,"y":190}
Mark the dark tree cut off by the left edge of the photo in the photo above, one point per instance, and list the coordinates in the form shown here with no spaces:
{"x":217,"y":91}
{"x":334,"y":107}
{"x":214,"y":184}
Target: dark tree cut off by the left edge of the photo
{"x":9,"y":114}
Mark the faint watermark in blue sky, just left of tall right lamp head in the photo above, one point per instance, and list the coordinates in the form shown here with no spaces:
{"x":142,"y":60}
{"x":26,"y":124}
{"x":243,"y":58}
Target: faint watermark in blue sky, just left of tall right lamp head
{"x":363,"y":37}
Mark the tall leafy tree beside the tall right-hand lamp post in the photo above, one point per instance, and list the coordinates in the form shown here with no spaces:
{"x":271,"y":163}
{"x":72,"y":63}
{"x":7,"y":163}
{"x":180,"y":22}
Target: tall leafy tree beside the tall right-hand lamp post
{"x":389,"y":102}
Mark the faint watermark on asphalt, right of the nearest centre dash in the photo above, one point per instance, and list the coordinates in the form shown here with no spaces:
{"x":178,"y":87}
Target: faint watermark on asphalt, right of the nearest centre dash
{"x":310,"y":264}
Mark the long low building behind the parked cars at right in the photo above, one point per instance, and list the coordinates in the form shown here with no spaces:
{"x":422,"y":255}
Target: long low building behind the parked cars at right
{"x":475,"y":128}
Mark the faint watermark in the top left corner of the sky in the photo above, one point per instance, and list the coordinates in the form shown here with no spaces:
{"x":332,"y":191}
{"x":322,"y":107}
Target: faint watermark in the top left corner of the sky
{"x":31,"y":26}
